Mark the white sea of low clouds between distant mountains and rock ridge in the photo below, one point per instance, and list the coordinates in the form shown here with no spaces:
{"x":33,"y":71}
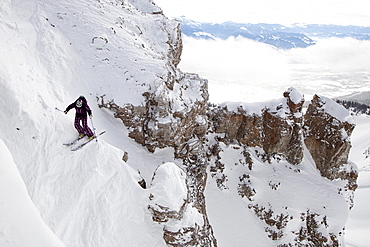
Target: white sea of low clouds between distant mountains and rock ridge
{"x":239,"y":69}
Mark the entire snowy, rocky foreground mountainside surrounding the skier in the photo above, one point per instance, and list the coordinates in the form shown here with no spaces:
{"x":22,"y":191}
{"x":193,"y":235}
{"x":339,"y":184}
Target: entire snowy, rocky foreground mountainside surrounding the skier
{"x":178,"y":171}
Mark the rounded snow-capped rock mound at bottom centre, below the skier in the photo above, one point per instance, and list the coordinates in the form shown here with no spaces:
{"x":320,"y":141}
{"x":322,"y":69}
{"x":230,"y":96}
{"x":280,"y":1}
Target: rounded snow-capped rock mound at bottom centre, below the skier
{"x":170,"y":205}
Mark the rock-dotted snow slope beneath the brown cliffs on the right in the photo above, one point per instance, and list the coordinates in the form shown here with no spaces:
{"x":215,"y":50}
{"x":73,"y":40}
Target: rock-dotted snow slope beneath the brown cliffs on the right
{"x":268,"y":204}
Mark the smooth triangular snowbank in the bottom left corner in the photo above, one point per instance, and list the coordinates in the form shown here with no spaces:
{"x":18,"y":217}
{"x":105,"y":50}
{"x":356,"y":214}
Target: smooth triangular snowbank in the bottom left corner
{"x":20,"y":224}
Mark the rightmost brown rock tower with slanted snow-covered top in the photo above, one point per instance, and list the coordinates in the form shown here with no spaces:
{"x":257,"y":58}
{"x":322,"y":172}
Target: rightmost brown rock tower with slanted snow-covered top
{"x":327,"y":131}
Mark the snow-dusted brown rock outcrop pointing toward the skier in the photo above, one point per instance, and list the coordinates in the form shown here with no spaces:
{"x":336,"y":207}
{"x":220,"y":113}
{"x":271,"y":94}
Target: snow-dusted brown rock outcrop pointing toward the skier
{"x":166,"y":120}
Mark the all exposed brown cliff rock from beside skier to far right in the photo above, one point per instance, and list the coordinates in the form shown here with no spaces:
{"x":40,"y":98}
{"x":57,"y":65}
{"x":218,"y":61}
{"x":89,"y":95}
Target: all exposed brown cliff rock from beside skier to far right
{"x":276,"y":131}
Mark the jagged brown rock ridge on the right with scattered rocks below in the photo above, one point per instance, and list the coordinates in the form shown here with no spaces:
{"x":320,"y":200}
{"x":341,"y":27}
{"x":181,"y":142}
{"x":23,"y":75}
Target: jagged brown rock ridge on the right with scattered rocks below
{"x":283,"y":137}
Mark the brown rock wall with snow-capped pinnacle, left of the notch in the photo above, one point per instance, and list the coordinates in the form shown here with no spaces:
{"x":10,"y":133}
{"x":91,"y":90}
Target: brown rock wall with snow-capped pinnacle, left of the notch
{"x":275,"y":128}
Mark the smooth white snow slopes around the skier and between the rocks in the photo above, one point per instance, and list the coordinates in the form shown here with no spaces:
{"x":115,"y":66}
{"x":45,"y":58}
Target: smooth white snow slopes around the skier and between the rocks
{"x":54,"y":51}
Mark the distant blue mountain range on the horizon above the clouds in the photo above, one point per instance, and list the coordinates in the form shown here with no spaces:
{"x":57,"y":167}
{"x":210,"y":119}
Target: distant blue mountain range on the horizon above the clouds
{"x":277,"y":35}
